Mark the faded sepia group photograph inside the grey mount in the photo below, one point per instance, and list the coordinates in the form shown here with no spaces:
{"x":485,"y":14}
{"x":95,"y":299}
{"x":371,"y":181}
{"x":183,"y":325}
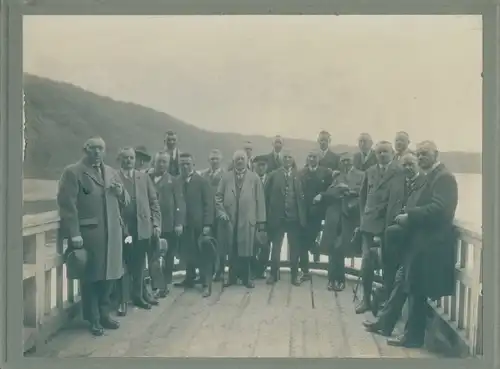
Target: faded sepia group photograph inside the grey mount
{"x":252,"y":186}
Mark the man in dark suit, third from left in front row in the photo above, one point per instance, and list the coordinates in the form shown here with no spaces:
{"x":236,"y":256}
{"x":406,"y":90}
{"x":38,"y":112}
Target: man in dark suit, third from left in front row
{"x":173,"y":217}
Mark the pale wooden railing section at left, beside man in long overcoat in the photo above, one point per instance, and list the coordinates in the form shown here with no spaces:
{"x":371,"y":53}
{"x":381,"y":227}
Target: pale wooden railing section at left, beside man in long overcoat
{"x":49,"y":298}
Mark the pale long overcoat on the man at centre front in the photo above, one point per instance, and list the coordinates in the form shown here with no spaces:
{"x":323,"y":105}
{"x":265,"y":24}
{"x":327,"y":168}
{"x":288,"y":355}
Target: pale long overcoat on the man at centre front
{"x":249,"y":211}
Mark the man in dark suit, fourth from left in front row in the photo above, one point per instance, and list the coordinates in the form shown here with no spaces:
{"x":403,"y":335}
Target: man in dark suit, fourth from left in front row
{"x":199,"y":220}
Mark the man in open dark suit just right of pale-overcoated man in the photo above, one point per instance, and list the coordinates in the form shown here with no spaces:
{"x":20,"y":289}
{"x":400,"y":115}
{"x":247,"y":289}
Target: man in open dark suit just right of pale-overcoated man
{"x":286,"y":213}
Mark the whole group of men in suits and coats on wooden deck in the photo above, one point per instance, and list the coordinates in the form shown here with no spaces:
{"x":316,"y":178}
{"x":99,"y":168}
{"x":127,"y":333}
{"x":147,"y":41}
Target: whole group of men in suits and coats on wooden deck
{"x":380,"y":200}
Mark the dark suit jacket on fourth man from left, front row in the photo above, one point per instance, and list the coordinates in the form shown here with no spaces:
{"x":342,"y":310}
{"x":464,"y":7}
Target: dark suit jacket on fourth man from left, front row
{"x":199,"y":202}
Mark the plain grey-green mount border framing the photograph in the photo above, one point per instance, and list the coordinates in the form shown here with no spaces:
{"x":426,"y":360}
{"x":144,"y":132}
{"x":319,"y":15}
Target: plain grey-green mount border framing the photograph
{"x":12,"y":11}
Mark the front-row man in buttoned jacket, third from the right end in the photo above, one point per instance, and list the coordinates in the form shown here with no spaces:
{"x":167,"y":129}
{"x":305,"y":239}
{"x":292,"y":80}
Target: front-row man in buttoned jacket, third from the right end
{"x":374,"y":198}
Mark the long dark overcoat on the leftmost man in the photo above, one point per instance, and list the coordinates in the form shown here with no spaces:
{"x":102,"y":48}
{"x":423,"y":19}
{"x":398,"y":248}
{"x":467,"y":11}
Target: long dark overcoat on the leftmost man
{"x":89,"y":208}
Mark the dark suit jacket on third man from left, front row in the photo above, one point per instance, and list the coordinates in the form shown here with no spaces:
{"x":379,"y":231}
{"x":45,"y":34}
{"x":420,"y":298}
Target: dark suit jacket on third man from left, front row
{"x":171,"y":200}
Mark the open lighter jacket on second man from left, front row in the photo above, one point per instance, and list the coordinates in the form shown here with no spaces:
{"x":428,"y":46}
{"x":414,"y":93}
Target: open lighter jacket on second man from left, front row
{"x":148,"y":210}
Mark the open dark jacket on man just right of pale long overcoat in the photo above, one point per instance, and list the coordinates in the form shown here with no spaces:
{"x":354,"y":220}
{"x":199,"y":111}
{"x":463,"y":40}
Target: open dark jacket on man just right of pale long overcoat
{"x":275,"y":198}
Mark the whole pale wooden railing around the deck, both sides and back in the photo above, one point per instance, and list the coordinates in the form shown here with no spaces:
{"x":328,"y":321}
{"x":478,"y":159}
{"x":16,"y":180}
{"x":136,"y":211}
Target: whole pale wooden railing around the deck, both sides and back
{"x":50,"y":301}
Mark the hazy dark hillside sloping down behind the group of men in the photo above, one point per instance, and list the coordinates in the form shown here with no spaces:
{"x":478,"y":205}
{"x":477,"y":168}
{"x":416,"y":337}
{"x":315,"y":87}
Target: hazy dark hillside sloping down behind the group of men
{"x":61,"y":117}
